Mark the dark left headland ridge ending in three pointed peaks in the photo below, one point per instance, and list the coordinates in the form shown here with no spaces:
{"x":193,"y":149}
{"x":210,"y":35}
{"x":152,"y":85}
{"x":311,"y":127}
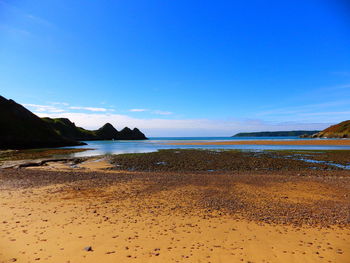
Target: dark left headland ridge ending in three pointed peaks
{"x":22,"y":129}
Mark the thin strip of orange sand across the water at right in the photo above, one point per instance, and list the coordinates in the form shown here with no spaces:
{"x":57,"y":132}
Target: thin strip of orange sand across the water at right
{"x":335,"y":142}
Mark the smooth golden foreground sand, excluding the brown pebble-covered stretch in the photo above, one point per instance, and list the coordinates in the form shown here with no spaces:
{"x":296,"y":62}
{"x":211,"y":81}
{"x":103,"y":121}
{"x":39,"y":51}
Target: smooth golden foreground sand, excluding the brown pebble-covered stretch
{"x":55,"y":223}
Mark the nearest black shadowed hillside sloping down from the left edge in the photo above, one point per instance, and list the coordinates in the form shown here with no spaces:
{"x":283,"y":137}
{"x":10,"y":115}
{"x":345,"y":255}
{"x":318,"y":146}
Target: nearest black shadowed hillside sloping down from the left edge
{"x":21,"y":129}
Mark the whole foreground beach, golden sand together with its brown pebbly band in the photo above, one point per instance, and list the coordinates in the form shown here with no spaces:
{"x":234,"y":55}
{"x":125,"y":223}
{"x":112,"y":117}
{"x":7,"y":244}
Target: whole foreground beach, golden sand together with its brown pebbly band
{"x":50,"y":214}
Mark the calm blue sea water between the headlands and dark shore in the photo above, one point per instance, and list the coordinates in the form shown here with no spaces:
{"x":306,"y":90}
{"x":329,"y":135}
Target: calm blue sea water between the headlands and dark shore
{"x":157,"y":143}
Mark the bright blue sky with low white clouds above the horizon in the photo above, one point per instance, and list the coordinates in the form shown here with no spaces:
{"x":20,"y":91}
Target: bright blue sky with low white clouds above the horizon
{"x":179,"y":68}
